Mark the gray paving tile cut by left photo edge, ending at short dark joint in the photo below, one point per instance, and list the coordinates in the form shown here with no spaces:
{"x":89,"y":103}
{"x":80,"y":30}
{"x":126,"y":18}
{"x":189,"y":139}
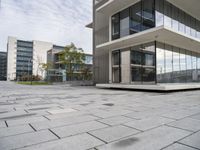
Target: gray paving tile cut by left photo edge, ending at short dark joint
{"x":15,"y":130}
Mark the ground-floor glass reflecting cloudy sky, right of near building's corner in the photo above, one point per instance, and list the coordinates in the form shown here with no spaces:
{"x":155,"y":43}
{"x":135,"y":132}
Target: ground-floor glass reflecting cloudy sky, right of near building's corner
{"x":176,"y":65}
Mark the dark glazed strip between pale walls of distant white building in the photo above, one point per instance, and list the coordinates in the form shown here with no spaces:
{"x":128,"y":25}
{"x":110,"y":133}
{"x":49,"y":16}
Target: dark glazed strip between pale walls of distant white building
{"x":24,"y":58}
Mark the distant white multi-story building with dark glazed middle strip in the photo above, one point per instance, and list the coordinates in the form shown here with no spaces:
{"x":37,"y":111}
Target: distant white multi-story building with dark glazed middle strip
{"x":25,"y":57}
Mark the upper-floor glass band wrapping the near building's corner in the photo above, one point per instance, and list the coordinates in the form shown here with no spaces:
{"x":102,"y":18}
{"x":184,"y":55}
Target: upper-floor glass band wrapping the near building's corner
{"x":147,"y":14}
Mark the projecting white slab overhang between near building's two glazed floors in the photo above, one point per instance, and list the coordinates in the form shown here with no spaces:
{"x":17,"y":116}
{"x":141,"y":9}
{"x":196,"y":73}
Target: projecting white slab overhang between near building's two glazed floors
{"x":160,"y":34}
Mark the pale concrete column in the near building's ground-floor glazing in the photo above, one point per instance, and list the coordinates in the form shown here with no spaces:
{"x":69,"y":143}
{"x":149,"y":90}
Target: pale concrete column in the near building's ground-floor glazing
{"x":125,"y":67}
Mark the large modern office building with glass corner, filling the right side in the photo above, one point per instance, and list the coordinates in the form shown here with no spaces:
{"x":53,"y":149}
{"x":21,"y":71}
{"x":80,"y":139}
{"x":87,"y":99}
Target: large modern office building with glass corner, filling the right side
{"x":146,"y":41}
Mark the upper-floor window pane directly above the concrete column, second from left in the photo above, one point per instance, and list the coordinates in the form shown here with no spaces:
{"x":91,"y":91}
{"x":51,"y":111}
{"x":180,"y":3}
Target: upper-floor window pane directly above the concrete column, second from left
{"x":124,"y":23}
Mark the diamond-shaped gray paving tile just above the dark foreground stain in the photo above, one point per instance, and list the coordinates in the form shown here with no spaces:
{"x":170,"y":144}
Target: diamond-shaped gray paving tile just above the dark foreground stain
{"x":113,"y":133}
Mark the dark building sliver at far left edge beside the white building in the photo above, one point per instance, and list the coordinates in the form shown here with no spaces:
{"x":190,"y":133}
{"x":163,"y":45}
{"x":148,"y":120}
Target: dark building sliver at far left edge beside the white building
{"x":3,"y":66}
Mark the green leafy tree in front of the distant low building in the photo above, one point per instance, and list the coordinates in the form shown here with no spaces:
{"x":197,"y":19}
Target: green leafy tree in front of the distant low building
{"x":72,"y":57}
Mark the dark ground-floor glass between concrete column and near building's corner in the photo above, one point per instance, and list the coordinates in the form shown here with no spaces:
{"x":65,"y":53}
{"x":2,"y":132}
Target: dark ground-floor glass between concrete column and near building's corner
{"x":143,"y":63}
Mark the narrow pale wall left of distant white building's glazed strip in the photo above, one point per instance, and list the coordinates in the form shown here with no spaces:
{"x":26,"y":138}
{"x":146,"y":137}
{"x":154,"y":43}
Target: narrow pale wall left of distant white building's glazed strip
{"x":11,"y":61}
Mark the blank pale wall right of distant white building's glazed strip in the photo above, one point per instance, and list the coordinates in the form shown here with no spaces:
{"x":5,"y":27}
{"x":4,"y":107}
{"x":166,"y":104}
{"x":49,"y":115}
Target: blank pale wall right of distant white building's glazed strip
{"x":40,"y":56}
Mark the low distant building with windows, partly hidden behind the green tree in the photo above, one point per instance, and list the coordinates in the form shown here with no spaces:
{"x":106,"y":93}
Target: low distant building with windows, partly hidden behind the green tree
{"x":57,"y":70}
